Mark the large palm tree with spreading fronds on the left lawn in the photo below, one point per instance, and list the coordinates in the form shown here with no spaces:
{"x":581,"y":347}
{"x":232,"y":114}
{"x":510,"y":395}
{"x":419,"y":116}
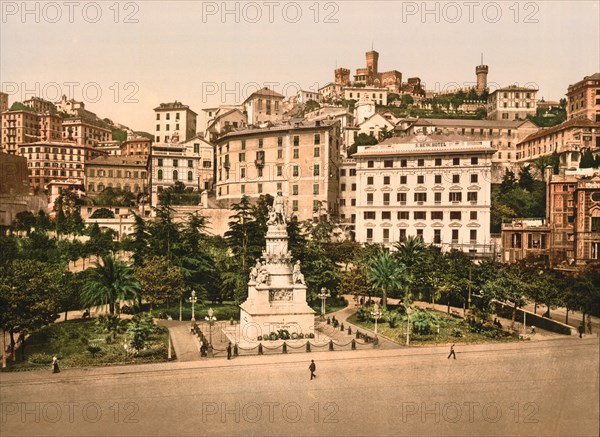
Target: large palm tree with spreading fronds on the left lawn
{"x":109,"y":282}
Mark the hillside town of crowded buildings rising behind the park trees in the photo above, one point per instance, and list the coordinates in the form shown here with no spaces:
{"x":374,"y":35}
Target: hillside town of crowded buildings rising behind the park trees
{"x":379,"y":157}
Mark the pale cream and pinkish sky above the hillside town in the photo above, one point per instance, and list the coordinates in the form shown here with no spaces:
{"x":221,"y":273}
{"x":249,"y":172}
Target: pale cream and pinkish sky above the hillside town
{"x":124,"y":58}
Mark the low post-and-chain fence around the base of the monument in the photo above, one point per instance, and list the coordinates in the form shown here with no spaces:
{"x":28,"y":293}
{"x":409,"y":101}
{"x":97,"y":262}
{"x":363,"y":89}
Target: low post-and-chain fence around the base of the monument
{"x":360,"y":341}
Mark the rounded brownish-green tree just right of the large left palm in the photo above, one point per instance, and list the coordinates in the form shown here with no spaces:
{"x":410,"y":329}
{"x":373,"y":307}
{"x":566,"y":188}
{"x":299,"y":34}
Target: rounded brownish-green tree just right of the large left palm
{"x":160,"y":282}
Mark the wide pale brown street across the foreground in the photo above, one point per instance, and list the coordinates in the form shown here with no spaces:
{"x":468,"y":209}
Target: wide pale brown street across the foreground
{"x":542,"y":388}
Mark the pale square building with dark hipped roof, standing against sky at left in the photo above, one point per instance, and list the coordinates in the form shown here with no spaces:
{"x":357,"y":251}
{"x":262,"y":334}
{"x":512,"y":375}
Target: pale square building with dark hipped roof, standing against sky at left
{"x":174,"y":118}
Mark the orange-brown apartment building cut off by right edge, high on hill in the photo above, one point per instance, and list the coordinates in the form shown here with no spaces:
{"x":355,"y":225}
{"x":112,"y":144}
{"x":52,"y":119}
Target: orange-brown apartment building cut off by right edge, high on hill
{"x":583,"y":98}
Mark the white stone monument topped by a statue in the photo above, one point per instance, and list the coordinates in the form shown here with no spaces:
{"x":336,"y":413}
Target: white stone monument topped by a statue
{"x":276,"y":289}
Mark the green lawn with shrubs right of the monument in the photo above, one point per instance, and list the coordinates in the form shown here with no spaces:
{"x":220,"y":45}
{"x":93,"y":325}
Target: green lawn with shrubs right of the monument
{"x":451,"y":330}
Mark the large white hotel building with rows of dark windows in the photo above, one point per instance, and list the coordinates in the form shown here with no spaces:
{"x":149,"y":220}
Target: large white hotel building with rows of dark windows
{"x":431,"y":187}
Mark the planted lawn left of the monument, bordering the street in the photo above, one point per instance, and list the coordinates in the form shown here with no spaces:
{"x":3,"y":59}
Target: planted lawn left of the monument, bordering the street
{"x":69,"y":341}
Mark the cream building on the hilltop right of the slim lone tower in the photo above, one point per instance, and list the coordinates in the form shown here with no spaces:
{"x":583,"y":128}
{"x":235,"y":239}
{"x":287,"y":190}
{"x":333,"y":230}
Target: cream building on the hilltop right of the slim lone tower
{"x":512,"y":103}
